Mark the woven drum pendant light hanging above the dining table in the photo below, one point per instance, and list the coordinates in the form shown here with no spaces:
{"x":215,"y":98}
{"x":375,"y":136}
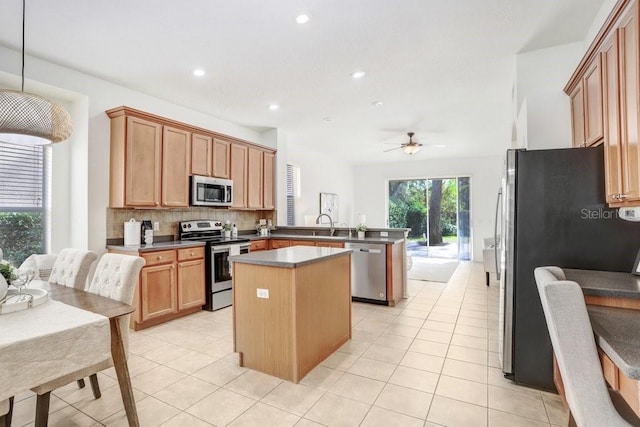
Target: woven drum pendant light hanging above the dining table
{"x":29,"y":119}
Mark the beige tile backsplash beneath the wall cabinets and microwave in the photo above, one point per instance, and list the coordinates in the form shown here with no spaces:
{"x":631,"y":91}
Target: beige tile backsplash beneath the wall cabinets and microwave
{"x":169,"y":218}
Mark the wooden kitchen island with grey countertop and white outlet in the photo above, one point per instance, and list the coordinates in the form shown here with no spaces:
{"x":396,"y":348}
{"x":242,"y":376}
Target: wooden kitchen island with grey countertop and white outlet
{"x":291,"y":308}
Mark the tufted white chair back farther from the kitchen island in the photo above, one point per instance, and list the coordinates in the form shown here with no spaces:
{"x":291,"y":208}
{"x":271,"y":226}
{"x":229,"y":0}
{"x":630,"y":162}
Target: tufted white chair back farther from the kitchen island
{"x":72,"y":268}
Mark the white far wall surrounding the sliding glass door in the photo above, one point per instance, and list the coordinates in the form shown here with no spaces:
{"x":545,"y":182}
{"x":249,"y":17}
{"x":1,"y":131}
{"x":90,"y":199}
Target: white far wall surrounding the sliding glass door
{"x":370,"y":185}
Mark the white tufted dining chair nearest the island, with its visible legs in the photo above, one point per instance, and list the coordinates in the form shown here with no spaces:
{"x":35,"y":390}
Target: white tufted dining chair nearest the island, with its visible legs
{"x":115,"y":277}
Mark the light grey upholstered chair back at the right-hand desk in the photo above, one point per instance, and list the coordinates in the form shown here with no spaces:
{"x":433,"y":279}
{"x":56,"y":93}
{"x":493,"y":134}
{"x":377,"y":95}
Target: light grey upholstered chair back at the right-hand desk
{"x":574,"y":346}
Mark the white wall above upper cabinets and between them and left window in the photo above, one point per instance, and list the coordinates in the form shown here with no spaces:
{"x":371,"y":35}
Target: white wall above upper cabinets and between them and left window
{"x":80,"y":204}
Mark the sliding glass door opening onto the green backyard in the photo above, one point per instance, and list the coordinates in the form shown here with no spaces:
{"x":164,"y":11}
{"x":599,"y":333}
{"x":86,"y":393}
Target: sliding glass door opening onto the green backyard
{"x":438,"y":212}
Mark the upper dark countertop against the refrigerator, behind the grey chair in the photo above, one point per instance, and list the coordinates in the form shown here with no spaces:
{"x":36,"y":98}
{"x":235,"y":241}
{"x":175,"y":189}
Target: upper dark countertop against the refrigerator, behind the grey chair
{"x":605,"y":283}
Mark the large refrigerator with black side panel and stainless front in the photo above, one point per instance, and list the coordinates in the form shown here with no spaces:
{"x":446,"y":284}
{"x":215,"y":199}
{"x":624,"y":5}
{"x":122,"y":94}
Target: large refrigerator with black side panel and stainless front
{"x":554,"y":213}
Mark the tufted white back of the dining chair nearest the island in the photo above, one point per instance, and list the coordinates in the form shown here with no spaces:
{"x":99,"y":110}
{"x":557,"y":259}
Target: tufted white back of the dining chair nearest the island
{"x":116,"y":277}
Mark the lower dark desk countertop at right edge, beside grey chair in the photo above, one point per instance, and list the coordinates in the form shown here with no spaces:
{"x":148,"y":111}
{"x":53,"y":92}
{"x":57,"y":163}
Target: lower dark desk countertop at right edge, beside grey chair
{"x":616,"y":331}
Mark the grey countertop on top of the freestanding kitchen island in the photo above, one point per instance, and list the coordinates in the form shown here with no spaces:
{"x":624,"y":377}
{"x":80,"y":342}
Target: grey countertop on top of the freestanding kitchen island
{"x":291,"y":257}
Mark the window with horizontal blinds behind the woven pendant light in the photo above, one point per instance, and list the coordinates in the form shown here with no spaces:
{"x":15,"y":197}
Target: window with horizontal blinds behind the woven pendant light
{"x":22,"y":201}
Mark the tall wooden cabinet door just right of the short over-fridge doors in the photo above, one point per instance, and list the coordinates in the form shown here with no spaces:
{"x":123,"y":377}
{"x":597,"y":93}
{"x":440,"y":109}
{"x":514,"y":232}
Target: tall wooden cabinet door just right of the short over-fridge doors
{"x":612,"y":149}
